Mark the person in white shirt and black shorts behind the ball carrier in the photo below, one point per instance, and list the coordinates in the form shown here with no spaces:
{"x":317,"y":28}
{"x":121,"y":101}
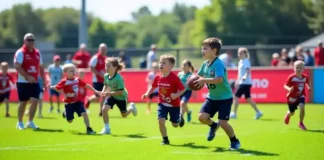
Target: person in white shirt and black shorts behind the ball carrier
{"x":244,"y":83}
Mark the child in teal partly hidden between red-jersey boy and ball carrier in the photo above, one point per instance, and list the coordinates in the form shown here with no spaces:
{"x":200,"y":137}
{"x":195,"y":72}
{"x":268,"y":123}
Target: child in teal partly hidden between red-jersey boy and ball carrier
{"x":187,"y":70}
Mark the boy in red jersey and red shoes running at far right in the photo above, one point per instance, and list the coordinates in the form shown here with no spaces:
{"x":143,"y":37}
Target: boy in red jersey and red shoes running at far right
{"x":295,"y":85}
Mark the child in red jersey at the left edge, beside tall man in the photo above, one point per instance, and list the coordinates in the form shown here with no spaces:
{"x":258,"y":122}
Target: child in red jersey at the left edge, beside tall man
{"x":5,"y":88}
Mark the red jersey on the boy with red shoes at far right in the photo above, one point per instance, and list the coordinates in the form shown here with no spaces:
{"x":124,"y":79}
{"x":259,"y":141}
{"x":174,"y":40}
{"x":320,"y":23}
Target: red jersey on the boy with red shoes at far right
{"x":299,"y":85}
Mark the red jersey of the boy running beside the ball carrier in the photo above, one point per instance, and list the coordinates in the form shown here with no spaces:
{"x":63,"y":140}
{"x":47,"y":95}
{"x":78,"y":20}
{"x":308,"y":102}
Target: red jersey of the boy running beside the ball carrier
{"x":168,"y":85}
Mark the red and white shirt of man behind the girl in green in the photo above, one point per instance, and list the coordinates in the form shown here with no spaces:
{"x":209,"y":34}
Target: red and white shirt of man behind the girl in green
{"x":98,"y":62}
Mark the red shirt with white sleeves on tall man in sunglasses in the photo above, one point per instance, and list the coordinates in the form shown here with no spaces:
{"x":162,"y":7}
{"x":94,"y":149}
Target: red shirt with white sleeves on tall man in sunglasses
{"x":29,"y":60}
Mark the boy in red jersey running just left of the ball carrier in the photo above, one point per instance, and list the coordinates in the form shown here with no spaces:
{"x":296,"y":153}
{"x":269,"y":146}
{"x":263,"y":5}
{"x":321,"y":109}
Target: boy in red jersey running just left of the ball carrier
{"x":170,"y":89}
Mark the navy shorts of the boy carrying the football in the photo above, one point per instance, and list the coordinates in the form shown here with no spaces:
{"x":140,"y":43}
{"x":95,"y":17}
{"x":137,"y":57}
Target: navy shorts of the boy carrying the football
{"x":223,"y":107}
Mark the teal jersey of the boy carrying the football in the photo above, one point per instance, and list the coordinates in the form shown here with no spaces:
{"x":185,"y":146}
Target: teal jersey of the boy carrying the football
{"x":216,"y":69}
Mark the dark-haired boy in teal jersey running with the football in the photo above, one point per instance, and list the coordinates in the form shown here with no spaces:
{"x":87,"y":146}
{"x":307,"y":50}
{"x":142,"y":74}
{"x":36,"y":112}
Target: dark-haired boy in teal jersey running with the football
{"x":220,"y":96}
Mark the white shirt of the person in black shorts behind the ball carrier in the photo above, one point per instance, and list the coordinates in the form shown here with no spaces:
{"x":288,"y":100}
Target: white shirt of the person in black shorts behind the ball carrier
{"x":242,"y":66}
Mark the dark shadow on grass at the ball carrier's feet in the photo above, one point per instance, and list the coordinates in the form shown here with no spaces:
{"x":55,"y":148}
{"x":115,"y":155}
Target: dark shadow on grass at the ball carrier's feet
{"x":246,"y":152}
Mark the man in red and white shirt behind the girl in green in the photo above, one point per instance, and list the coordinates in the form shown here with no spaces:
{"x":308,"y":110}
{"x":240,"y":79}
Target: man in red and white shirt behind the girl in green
{"x":97,"y":65}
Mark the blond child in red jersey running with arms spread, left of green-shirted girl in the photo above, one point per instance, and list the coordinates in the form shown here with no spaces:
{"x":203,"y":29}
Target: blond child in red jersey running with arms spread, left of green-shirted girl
{"x":70,"y":86}
